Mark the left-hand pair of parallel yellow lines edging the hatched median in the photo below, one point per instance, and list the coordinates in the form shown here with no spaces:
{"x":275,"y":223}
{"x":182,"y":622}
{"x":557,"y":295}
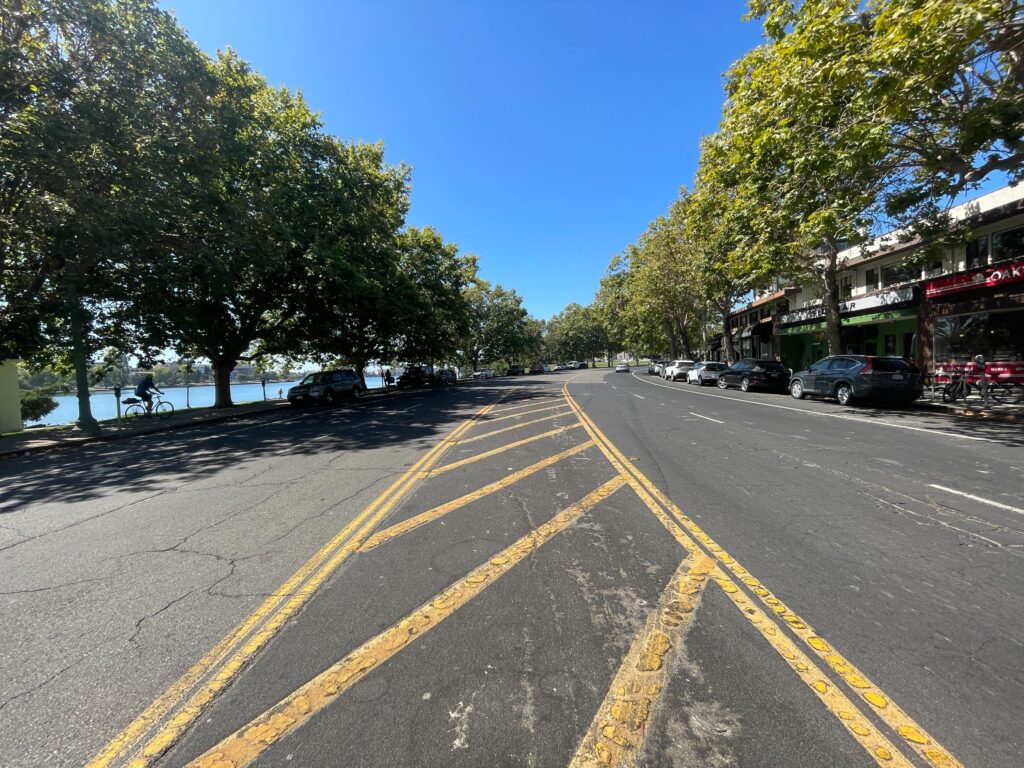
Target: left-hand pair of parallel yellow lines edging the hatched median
{"x":159,"y":709}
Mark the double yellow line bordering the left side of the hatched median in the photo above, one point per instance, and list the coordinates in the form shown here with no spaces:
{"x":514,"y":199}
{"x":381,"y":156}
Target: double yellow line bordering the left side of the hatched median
{"x":239,"y":647}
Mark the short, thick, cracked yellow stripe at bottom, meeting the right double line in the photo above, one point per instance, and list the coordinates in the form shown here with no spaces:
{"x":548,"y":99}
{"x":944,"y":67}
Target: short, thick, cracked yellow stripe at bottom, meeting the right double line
{"x":616,"y":737}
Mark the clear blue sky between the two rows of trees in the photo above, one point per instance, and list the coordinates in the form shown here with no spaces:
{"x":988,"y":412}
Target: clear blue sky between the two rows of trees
{"x":543,"y":136}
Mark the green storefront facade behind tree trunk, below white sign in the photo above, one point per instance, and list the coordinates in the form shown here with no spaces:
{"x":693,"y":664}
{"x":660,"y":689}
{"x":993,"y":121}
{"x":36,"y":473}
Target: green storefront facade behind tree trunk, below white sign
{"x":892,"y":331}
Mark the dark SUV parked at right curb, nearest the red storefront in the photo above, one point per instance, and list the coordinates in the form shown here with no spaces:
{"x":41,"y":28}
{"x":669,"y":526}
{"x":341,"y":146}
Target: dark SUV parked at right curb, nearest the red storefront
{"x":857,"y":377}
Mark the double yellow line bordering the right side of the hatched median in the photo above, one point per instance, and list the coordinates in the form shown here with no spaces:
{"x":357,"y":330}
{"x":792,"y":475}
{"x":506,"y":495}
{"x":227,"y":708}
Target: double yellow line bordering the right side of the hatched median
{"x":913,"y":735}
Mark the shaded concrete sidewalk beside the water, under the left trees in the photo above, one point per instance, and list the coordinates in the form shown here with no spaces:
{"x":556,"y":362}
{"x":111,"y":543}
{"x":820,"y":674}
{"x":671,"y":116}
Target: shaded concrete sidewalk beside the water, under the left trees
{"x":56,"y":439}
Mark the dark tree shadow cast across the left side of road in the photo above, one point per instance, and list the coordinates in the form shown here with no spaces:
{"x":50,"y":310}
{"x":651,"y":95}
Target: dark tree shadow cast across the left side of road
{"x":154,"y":461}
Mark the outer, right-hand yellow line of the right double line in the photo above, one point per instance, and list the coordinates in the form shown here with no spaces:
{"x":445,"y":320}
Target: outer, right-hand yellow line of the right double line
{"x":912,"y":734}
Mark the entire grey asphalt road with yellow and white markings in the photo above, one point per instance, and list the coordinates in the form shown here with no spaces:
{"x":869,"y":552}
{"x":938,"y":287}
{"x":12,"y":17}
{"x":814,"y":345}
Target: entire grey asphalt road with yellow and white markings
{"x":589,"y":569}
